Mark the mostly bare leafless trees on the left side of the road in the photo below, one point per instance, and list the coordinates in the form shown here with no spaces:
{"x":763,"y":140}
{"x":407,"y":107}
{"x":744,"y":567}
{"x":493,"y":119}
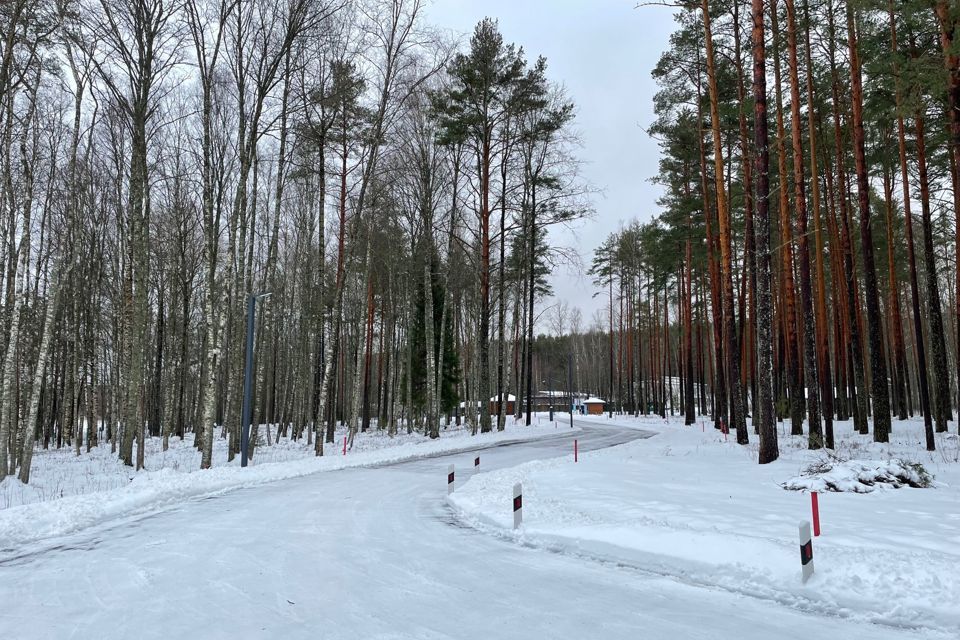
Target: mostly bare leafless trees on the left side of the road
{"x":163,"y":160}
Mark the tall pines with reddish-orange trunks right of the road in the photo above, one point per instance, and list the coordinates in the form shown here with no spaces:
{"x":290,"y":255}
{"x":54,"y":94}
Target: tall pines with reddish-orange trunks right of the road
{"x":803,"y":262}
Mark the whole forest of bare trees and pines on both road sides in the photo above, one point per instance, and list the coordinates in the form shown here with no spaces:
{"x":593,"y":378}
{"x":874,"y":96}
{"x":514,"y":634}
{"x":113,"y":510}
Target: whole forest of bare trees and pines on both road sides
{"x":382,"y":194}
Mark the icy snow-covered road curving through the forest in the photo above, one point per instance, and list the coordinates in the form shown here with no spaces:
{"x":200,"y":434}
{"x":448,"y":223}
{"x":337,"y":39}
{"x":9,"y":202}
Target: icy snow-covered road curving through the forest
{"x":365,"y":553}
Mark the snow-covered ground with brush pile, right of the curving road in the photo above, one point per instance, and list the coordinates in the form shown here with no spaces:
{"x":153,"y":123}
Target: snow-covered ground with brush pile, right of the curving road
{"x":688,"y":505}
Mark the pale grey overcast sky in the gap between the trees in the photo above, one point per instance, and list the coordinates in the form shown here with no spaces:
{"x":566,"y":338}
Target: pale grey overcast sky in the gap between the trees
{"x":603,"y":52}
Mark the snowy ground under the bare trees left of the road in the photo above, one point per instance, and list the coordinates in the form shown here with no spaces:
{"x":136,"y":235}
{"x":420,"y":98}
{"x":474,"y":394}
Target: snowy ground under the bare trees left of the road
{"x":68,"y":493}
